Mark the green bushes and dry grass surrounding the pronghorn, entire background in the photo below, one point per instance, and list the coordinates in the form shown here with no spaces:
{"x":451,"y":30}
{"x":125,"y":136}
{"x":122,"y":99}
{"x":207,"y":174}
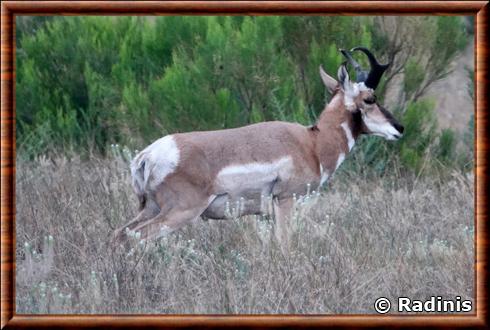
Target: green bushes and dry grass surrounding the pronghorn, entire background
{"x":396,"y":220}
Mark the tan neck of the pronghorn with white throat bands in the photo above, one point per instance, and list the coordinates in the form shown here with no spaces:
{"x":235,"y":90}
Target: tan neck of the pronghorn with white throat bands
{"x":338,"y":129}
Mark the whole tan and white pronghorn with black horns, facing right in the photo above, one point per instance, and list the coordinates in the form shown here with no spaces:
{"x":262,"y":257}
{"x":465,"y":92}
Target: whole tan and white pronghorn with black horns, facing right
{"x":186,"y":175}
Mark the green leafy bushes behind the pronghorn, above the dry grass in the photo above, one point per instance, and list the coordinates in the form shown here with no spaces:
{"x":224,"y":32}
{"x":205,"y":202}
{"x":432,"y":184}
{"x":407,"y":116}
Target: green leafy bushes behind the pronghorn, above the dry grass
{"x":84,"y":83}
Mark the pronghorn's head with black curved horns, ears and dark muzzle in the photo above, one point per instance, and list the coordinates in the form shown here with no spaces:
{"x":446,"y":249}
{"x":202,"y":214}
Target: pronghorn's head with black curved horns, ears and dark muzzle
{"x":359,"y":96}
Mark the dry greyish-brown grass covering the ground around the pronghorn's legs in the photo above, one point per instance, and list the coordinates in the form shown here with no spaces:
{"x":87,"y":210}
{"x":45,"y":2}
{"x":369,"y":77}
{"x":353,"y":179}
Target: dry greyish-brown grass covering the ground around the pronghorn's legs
{"x":351,"y":245}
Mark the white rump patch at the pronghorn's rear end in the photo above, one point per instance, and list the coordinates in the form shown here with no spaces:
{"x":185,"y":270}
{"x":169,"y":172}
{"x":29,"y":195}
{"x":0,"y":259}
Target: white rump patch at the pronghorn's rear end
{"x":159,"y":159}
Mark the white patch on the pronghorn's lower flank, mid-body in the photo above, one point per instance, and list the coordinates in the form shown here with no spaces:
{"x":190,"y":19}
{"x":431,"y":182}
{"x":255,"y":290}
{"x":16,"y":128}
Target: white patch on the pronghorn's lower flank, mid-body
{"x":253,"y":176}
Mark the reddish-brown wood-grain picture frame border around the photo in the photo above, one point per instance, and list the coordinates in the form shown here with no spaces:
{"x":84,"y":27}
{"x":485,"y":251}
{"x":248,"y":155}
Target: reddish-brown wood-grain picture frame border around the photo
{"x":9,"y":9}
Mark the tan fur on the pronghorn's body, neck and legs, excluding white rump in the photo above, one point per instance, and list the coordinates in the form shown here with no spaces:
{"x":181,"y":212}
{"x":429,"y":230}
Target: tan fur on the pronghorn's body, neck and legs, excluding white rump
{"x":194,"y":188}
